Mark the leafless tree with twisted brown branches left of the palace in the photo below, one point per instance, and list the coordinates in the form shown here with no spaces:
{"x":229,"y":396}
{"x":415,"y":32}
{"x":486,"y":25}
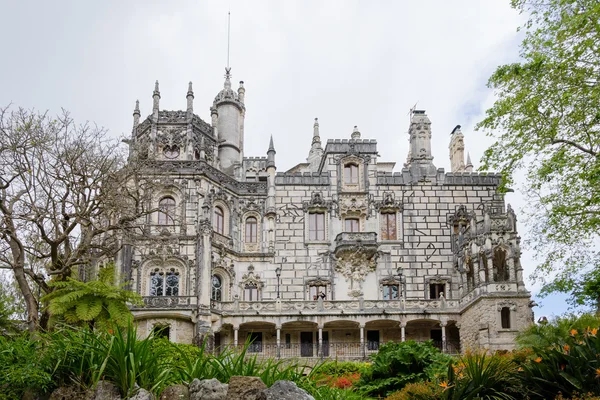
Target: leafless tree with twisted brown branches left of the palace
{"x":66,"y":196}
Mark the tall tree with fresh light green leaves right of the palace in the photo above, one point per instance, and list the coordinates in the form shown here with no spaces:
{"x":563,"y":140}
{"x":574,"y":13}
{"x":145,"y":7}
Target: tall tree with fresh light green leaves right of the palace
{"x":546,"y":121}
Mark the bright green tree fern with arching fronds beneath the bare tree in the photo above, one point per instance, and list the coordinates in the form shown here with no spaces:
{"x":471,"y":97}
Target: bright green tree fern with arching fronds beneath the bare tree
{"x":98,"y":301}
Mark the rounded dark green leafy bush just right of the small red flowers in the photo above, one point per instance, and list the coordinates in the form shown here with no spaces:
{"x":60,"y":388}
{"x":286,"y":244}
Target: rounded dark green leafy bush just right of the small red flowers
{"x":397,"y":364}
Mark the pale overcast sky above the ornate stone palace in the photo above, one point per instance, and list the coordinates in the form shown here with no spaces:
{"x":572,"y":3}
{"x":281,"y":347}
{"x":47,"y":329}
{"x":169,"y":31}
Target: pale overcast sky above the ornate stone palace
{"x":348,"y":63}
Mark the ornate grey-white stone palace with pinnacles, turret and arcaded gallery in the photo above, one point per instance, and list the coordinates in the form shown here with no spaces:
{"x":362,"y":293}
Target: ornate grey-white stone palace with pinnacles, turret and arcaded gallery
{"x":328,"y":259}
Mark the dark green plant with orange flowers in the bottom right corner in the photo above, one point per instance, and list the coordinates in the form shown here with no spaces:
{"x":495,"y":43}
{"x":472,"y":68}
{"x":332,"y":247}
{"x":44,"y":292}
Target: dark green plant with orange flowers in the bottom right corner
{"x":570,"y":366}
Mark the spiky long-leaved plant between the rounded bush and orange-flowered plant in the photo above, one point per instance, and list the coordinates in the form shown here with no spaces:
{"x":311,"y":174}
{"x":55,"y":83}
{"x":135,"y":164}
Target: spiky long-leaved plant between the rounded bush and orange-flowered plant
{"x":482,"y":376}
